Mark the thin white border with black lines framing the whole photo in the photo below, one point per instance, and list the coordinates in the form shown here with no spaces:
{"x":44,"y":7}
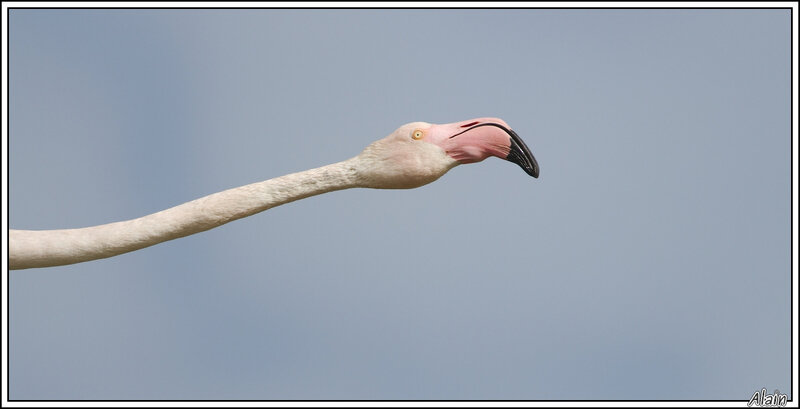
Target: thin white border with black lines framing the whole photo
{"x":577,"y":5}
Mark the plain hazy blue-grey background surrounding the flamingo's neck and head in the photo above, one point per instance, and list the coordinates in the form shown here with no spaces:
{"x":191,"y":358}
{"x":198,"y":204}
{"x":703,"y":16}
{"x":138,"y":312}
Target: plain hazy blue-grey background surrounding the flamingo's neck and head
{"x":650,"y":260}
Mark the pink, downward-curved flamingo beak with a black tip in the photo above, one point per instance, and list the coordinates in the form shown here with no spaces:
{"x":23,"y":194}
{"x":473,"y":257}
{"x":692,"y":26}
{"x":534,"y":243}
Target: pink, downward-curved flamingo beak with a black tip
{"x":476,"y":139}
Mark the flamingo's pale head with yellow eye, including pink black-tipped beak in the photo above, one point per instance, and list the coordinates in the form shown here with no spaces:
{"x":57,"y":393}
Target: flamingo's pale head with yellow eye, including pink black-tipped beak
{"x":418,"y":153}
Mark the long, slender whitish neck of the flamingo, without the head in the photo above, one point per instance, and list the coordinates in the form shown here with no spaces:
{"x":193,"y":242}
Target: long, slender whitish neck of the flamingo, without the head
{"x":45,"y":248}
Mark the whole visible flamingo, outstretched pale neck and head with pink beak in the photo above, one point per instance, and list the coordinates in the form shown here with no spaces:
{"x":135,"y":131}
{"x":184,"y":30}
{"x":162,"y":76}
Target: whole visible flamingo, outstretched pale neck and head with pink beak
{"x":414,"y":155}
